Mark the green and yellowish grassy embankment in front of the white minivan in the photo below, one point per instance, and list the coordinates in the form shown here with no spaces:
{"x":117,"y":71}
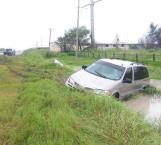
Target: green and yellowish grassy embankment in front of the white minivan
{"x":37,"y":109}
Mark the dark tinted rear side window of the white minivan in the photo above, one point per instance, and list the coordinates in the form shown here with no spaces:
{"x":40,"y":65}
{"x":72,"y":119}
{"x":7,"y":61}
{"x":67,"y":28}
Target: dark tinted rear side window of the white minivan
{"x":140,"y":73}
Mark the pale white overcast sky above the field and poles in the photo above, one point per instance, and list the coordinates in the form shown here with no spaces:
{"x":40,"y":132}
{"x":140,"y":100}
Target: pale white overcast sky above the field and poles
{"x":26,"y":23}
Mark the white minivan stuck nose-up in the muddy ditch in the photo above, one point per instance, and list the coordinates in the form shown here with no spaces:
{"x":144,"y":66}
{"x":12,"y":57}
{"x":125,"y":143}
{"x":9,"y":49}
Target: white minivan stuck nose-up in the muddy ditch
{"x":114,"y":77}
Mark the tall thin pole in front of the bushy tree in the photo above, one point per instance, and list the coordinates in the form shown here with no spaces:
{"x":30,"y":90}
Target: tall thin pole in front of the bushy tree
{"x":77,"y":33}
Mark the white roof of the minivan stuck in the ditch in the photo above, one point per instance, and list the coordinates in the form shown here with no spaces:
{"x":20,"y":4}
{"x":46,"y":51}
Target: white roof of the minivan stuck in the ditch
{"x":123,"y":63}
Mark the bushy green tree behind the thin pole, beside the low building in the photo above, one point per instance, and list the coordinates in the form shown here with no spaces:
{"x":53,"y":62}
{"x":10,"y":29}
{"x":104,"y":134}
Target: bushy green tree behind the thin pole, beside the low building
{"x":70,"y":36}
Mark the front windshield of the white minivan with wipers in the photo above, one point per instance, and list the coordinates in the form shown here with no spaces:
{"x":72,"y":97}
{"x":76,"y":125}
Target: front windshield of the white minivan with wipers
{"x":106,"y":70}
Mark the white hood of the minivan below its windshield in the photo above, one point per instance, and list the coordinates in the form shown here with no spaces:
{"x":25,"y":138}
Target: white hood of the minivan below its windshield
{"x":91,"y":81}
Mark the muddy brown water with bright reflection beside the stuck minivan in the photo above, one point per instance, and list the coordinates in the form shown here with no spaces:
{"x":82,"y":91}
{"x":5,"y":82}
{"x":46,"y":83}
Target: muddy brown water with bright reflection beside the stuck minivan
{"x":149,"y":106}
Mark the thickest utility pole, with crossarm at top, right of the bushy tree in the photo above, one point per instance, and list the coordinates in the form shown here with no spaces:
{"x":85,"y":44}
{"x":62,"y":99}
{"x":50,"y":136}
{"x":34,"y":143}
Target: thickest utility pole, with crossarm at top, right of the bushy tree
{"x":92,"y":3}
